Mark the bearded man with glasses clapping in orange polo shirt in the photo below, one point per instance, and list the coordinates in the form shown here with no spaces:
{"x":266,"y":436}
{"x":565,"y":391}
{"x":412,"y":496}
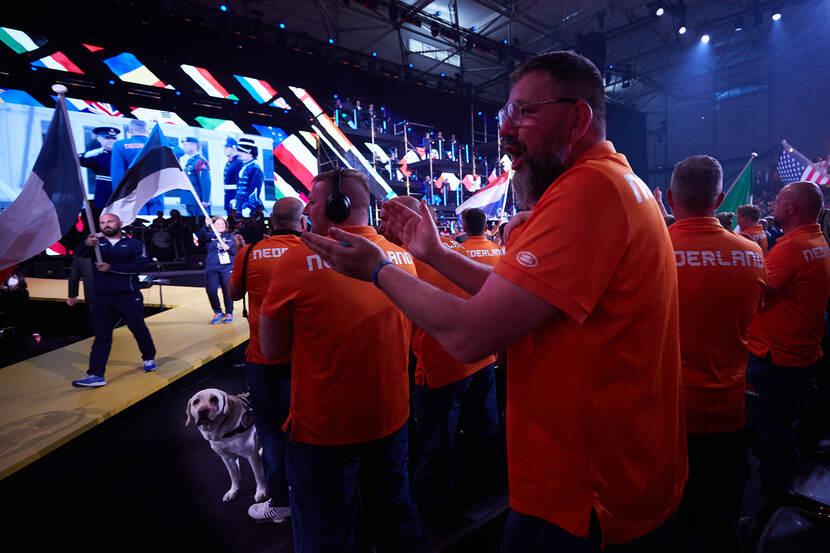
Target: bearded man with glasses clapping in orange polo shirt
{"x":586,"y":296}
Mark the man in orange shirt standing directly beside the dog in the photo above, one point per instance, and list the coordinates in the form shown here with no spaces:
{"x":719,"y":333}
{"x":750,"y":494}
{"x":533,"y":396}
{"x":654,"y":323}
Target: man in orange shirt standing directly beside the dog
{"x":269,"y":382}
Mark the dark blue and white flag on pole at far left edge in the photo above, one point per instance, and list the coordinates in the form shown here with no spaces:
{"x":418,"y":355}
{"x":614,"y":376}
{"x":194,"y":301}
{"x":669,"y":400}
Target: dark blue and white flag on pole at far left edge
{"x":50,"y":200}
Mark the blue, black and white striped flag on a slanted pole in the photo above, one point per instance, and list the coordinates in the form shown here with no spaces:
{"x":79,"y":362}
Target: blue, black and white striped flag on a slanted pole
{"x":154,"y":171}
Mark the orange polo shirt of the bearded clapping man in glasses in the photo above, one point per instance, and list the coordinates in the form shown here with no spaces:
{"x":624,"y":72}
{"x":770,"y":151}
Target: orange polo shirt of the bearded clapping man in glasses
{"x":594,"y":411}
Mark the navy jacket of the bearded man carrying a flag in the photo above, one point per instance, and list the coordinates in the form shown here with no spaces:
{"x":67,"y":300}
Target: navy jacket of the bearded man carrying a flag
{"x":127,"y":258}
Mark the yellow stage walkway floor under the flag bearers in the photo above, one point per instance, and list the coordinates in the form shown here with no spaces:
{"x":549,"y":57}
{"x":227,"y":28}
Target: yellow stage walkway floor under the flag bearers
{"x":39,"y":408}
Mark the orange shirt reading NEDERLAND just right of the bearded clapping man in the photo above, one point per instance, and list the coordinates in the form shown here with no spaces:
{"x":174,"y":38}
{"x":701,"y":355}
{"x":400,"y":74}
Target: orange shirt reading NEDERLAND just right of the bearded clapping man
{"x":720,"y":280}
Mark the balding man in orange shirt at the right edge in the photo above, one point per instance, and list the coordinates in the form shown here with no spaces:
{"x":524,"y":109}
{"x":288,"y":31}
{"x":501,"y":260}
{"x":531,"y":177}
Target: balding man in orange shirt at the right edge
{"x":785,"y":337}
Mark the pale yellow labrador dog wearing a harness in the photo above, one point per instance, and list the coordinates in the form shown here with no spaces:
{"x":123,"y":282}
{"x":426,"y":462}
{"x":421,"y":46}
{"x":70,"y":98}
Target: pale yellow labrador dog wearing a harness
{"x":226,"y":423}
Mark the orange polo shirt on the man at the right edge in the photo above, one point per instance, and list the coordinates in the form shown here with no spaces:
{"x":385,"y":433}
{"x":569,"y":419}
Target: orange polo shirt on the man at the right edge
{"x":798,"y":269}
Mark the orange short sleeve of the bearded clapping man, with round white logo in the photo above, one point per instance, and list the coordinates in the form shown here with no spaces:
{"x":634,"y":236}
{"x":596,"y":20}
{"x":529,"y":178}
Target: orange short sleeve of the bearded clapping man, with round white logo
{"x":569,"y":249}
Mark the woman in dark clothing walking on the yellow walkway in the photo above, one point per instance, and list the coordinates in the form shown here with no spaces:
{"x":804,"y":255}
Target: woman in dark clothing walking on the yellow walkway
{"x":218,"y":264}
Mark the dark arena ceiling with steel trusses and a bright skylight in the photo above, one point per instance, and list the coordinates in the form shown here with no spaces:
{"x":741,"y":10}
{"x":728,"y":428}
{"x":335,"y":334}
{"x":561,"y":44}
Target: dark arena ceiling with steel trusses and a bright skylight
{"x":474,"y":43}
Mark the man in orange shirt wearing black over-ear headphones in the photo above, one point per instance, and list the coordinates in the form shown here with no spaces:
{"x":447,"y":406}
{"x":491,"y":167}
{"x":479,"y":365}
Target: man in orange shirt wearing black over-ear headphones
{"x":349,"y":348}
